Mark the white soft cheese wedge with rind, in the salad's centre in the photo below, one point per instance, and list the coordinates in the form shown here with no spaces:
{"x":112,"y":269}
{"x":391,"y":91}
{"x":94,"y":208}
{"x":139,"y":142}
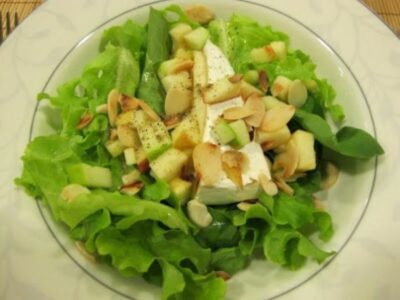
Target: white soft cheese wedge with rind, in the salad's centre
{"x":226,"y":191}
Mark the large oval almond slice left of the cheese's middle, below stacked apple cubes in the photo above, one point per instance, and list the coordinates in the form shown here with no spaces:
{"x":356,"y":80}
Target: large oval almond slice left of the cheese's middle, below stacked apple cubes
{"x":178,"y":100}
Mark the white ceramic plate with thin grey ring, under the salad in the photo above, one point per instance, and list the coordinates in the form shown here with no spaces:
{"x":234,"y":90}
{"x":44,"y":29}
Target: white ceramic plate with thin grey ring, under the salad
{"x":362,"y":61}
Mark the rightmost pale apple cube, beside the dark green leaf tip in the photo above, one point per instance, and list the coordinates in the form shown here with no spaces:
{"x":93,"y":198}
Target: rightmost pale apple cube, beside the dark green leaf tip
{"x":305,"y":145}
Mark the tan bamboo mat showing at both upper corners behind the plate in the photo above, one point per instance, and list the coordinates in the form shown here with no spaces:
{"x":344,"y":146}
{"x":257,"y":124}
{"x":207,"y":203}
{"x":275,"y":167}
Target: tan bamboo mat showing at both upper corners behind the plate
{"x":388,"y":10}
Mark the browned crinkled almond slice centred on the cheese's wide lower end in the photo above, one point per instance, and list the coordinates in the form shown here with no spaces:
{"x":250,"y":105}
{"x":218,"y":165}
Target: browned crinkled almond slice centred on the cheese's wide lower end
{"x":233,"y":163}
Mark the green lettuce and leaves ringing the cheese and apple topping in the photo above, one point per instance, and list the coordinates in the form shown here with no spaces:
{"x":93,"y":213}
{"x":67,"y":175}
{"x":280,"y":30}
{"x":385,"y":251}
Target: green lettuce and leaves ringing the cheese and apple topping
{"x":149,"y":235}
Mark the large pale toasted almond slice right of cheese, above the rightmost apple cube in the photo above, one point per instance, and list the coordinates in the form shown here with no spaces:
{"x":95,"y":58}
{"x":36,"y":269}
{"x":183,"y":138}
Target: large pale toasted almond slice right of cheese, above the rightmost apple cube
{"x":277,"y":117}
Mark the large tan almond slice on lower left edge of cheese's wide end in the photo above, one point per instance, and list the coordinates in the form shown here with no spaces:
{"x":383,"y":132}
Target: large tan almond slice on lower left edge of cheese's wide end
{"x":207,"y":163}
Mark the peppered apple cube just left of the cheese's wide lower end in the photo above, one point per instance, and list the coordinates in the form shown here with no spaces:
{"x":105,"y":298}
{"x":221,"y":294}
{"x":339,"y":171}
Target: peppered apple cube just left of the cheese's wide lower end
{"x":169,"y":164}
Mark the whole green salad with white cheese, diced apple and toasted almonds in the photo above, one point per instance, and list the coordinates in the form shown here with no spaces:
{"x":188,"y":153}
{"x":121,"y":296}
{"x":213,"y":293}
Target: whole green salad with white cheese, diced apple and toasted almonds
{"x":189,"y":145}
